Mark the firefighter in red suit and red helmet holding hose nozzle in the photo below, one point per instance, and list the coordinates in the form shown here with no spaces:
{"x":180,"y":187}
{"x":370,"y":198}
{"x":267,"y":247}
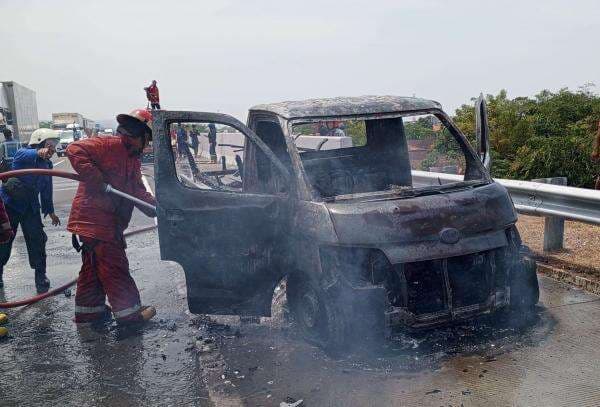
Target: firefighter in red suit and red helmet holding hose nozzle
{"x":98,"y":219}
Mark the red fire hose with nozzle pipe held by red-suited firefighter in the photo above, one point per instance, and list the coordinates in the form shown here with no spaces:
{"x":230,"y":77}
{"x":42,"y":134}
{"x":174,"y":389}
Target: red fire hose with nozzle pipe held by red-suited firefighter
{"x":75,"y":177}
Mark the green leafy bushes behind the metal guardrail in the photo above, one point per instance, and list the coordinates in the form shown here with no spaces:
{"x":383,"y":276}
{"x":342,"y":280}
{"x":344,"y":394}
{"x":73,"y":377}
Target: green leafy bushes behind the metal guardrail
{"x":548,"y":135}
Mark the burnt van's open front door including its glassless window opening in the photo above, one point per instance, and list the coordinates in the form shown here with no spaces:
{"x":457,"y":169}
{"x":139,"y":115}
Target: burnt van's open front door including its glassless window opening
{"x":225,"y":236}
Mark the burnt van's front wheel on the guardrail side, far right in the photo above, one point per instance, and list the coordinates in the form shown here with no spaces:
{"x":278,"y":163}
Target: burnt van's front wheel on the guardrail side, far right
{"x":524,"y":286}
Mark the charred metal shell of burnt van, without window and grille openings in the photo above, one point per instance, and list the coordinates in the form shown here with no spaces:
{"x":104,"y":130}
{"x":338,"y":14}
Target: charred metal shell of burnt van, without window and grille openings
{"x":405,"y":230}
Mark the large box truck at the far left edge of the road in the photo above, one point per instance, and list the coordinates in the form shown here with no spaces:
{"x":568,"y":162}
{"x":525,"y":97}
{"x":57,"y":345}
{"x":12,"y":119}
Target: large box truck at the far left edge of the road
{"x":18,"y":110}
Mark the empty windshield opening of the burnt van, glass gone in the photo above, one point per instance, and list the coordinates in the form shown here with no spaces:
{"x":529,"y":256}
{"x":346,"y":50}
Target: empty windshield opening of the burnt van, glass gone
{"x":399,"y":155}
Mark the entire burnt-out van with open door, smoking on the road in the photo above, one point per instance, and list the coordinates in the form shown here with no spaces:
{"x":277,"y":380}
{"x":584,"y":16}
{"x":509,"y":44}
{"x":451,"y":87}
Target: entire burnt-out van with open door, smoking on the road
{"x":340,"y":196}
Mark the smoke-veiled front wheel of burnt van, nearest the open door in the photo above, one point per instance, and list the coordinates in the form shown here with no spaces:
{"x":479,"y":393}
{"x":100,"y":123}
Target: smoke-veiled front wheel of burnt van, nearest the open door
{"x":320,"y":320}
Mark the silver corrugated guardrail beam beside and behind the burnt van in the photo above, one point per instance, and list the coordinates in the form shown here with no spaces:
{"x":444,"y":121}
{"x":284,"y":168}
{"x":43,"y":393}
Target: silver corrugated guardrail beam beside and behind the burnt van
{"x":532,"y":198}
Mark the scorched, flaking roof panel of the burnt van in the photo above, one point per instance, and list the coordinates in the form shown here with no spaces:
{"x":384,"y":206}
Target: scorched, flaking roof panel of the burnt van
{"x":346,"y":106}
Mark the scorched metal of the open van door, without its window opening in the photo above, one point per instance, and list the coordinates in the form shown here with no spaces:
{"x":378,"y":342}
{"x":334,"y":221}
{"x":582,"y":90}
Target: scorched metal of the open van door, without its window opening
{"x":209,"y":232}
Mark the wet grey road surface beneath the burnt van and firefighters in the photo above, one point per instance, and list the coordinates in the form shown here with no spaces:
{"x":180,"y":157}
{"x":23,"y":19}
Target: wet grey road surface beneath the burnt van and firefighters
{"x":549,"y":358}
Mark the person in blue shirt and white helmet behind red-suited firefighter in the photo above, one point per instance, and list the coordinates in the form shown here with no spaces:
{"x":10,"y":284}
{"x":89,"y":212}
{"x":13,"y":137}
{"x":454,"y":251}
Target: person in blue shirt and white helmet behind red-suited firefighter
{"x":22,"y":196}
